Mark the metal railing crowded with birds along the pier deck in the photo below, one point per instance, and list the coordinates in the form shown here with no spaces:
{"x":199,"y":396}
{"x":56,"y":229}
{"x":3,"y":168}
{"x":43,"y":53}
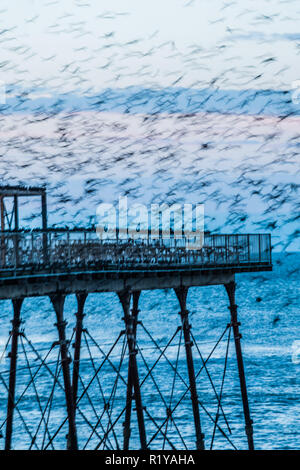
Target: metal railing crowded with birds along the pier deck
{"x":84,"y":249}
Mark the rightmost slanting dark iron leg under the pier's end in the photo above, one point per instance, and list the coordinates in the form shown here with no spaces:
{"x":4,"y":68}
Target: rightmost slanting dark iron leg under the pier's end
{"x":230,"y":288}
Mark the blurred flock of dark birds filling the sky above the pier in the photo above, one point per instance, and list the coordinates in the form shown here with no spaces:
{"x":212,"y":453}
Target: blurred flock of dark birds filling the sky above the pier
{"x":243,"y":166}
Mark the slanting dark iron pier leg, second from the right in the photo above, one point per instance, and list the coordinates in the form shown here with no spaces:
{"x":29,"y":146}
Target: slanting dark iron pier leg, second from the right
{"x":182,"y":295}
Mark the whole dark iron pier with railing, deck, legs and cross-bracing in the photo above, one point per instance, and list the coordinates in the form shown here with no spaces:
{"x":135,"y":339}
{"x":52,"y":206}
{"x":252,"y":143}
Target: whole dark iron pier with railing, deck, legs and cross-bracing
{"x":59,"y":262}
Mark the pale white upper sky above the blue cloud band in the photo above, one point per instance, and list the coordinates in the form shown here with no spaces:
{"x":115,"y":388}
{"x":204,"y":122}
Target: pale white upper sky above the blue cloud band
{"x":89,"y":44}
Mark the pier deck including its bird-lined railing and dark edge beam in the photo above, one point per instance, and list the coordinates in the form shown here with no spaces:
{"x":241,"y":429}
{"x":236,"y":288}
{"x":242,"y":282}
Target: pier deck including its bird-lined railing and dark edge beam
{"x":44,"y":262}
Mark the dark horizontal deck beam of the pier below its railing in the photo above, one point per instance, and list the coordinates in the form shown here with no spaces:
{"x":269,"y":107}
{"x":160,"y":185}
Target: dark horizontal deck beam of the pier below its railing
{"x":25,"y":284}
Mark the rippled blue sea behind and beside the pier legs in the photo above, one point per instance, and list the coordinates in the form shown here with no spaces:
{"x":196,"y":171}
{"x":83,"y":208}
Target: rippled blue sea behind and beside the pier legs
{"x":269,"y":316}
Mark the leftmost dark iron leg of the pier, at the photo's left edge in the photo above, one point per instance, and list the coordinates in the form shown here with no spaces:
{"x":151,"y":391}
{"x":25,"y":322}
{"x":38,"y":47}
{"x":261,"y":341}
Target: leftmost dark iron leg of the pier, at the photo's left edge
{"x":15,"y":332}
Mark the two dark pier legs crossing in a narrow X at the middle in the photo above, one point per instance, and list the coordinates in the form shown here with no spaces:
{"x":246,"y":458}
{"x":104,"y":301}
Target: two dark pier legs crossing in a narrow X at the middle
{"x":133,"y":384}
